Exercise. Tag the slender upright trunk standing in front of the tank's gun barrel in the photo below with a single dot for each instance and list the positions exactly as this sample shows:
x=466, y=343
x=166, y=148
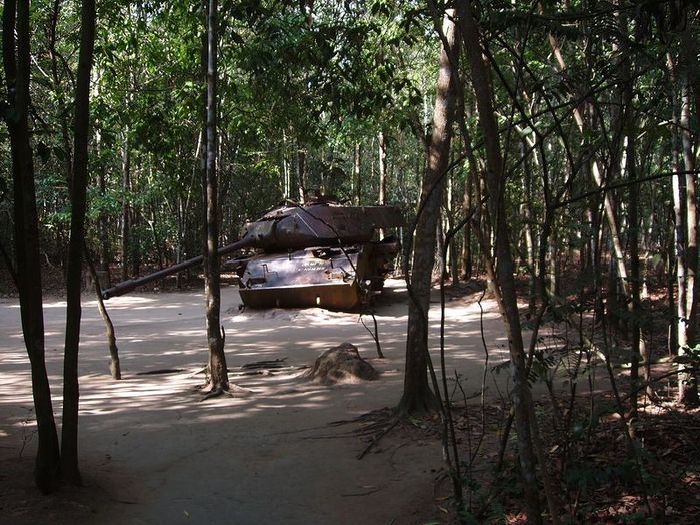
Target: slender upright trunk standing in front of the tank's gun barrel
x=218, y=372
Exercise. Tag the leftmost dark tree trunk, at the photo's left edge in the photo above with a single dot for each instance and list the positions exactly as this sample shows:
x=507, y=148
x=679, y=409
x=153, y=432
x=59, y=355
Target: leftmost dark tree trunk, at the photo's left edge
x=16, y=64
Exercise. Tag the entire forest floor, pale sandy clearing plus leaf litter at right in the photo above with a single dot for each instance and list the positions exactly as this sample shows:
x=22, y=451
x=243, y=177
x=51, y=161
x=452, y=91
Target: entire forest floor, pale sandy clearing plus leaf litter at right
x=286, y=450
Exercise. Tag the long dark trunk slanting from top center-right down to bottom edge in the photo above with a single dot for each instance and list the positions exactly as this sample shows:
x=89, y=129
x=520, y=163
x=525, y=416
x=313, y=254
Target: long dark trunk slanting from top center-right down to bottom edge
x=495, y=178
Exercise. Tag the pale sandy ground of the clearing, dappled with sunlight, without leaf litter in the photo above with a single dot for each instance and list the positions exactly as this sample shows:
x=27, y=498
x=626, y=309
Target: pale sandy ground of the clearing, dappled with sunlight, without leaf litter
x=151, y=452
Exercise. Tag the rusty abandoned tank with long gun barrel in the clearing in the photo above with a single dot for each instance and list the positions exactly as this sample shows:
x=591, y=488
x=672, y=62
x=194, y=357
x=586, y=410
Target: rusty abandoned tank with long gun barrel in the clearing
x=322, y=253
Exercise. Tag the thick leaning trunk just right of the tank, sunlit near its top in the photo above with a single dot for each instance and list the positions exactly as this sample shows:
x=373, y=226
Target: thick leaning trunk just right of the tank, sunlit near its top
x=417, y=395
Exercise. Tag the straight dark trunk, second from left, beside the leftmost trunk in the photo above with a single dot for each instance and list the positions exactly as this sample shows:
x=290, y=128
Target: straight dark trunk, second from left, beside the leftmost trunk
x=78, y=191
